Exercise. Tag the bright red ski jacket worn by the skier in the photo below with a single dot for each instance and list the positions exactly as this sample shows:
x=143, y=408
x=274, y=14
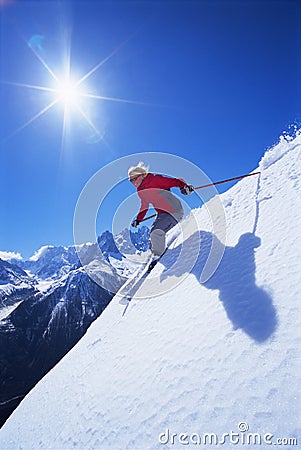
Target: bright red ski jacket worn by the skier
x=155, y=190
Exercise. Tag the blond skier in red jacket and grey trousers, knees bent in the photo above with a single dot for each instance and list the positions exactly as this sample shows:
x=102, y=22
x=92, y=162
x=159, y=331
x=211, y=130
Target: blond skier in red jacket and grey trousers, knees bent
x=155, y=189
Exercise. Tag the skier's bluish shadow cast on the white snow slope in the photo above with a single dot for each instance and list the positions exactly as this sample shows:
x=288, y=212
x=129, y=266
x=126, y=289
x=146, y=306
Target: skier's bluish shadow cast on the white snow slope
x=248, y=306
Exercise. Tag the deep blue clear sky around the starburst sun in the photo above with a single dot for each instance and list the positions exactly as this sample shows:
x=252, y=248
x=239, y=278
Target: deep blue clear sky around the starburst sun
x=214, y=82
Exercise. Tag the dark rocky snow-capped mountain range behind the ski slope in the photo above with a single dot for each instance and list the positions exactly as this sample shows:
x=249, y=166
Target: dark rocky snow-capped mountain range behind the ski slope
x=46, y=309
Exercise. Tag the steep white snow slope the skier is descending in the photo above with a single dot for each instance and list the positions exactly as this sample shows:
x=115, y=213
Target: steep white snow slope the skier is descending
x=220, y=357
